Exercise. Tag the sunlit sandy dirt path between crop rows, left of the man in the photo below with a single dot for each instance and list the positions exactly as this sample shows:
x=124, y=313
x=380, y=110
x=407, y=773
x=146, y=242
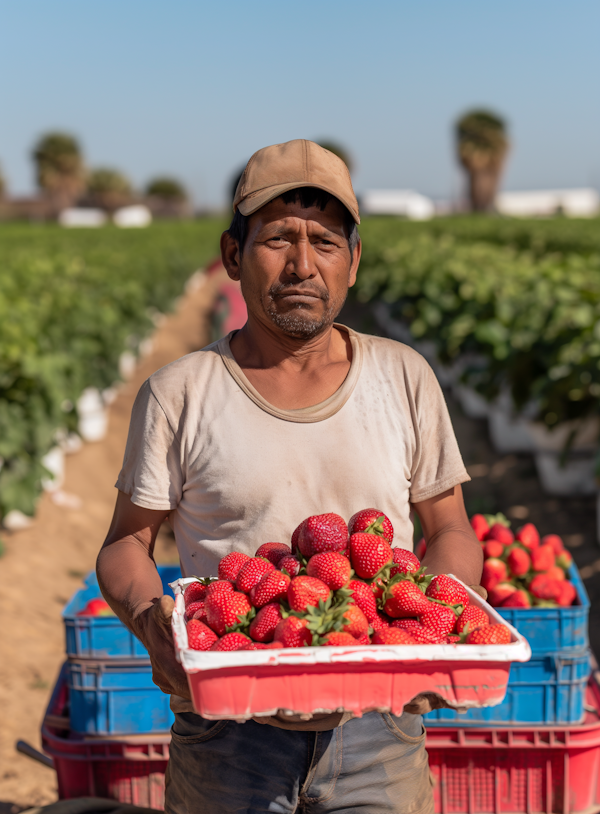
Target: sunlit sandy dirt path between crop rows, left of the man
x=43, y=565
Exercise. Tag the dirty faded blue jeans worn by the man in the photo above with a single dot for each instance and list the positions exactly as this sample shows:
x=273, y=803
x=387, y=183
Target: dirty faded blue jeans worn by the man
x=376, y=764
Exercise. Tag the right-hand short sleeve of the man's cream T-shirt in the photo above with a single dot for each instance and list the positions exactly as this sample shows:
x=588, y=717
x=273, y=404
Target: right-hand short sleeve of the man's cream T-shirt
x=437, y=464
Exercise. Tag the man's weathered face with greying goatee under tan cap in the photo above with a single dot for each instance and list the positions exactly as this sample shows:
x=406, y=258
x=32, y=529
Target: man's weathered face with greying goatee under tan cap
x=296, y=267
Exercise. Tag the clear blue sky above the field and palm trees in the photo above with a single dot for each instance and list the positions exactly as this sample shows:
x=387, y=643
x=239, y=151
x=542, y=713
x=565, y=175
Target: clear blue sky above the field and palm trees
x=192, y=89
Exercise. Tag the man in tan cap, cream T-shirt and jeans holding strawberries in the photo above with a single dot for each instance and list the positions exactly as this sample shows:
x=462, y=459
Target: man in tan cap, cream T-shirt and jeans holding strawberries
x=292, y=415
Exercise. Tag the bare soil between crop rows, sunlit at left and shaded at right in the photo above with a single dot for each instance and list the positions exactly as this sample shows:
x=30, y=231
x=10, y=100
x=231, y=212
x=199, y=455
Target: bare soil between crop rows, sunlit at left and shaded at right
x=48, y=560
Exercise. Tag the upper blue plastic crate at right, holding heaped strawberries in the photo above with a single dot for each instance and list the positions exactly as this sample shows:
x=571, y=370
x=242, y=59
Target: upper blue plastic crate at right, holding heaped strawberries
x=554, y=629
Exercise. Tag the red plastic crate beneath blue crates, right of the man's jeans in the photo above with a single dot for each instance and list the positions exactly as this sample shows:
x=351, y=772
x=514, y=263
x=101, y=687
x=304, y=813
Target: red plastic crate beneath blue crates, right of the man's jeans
x=555, y=770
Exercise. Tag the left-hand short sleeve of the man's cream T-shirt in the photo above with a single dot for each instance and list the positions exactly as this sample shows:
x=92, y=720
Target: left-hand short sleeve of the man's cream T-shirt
x=152, y=472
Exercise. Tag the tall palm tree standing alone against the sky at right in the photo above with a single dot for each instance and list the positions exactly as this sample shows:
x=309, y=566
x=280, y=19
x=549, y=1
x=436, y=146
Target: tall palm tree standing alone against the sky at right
x=482, y=146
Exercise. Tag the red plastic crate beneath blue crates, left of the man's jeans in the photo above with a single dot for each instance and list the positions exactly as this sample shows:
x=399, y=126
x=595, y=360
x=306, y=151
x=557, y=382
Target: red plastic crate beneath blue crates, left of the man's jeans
x=130, y=769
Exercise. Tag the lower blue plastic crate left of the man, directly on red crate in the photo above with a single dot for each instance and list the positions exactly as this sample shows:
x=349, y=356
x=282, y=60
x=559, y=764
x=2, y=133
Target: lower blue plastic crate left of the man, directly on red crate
x=116, y=698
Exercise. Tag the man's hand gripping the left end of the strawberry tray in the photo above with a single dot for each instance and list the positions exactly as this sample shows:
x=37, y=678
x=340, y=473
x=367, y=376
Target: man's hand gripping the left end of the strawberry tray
x=155, y=633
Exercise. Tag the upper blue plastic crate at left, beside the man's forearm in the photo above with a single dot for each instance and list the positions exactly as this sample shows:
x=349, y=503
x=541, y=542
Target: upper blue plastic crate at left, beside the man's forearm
x=101, y=637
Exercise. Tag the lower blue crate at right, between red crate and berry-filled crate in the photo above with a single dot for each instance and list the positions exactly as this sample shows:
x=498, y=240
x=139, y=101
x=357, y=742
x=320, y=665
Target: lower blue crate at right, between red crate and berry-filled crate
x=549, y=689
